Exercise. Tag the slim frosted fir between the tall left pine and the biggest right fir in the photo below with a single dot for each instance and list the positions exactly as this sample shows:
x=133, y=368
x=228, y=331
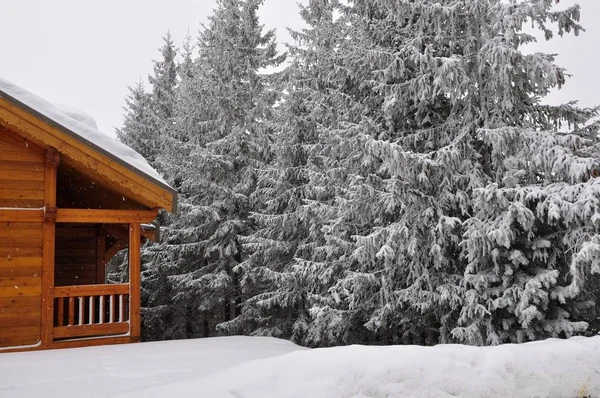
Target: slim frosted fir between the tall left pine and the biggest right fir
x=283, y=273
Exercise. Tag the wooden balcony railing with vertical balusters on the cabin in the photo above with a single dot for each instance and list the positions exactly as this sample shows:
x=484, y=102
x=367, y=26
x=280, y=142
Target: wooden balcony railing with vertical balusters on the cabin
x=91, y=311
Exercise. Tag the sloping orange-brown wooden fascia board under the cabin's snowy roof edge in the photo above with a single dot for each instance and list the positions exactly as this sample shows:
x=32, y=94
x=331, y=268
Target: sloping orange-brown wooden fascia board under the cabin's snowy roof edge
x=126, y=181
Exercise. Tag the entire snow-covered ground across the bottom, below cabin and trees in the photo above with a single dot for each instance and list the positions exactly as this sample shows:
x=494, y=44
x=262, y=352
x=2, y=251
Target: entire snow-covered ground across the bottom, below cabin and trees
x=242, y=367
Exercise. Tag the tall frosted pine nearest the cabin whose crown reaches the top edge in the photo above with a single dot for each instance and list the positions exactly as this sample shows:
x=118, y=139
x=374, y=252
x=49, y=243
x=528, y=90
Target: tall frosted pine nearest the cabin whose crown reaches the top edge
x=224, y=106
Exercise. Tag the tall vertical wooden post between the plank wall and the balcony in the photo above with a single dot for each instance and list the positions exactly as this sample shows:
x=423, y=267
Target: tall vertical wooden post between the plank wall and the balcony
x=48, y=246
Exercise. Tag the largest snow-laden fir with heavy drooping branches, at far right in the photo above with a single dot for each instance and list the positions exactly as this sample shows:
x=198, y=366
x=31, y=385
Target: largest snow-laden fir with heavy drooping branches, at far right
x=461, y=228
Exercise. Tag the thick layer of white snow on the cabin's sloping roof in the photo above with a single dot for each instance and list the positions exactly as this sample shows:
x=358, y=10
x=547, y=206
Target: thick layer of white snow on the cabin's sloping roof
x=82, y=127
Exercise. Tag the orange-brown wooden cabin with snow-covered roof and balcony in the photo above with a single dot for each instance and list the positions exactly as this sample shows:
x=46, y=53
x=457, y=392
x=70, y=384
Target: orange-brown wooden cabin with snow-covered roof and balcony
x=70, y=199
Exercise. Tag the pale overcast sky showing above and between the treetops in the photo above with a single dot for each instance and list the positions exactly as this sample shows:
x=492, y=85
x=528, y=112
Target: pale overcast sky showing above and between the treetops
x=85, y=53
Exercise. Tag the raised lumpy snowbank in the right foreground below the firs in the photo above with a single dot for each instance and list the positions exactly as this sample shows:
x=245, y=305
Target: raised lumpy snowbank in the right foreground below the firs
x=552, y=368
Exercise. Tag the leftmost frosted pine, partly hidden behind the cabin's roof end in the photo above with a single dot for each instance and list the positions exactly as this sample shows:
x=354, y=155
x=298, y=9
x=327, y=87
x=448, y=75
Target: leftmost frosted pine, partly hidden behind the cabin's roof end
x=149, y=119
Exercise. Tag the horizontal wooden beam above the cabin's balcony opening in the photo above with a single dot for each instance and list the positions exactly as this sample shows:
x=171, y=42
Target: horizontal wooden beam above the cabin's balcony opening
x=105, y=216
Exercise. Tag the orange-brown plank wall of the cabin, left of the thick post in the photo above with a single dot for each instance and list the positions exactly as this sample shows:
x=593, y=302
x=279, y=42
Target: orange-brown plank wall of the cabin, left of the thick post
x=22, y=168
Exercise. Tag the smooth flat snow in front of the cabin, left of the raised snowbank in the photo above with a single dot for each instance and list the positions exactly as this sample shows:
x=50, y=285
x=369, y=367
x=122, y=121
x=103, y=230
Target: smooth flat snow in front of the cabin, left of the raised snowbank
x=112, y=370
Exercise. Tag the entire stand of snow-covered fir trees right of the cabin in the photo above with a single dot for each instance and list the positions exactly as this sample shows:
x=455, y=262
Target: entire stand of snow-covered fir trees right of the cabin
x=411, y=186
